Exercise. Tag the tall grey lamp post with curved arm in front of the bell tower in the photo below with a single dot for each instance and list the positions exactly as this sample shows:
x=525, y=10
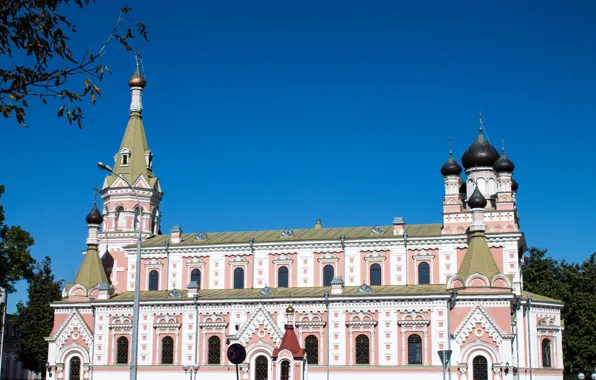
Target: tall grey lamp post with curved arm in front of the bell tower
x=137, y=296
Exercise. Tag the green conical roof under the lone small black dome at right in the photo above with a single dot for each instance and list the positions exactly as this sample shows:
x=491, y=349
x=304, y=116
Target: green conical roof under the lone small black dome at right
x=478, y=258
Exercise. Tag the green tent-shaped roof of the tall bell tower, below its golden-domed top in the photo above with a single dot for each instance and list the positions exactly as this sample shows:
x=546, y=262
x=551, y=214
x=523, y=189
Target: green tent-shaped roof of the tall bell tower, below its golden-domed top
x=135, y=142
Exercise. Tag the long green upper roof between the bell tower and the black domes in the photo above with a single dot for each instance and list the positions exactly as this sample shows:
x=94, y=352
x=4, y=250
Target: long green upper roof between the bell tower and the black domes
x=302, y=234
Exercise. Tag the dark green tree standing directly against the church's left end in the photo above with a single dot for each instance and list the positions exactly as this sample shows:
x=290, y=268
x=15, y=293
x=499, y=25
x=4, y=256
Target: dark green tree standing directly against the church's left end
x=34, y=321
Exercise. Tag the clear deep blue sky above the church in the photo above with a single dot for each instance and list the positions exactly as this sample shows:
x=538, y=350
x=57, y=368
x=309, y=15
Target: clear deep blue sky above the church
x=271, y=114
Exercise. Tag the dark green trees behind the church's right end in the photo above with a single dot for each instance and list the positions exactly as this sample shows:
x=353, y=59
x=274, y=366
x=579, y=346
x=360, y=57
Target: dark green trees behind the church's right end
x=574, y=284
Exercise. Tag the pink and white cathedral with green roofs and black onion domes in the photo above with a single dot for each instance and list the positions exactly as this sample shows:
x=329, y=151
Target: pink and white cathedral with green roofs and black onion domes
x=313, y=303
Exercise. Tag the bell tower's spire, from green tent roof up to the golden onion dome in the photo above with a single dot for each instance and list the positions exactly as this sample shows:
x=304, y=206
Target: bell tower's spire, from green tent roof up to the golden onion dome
x=134, y=158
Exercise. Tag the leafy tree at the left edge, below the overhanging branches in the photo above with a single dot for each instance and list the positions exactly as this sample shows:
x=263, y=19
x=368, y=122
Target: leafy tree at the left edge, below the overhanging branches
x=16, y=262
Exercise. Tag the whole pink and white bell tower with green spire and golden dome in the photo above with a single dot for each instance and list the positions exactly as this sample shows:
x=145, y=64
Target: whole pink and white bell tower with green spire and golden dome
x=134, y=162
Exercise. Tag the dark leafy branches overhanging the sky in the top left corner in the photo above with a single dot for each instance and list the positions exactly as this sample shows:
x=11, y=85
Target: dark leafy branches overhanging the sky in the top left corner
x=35, y=33
